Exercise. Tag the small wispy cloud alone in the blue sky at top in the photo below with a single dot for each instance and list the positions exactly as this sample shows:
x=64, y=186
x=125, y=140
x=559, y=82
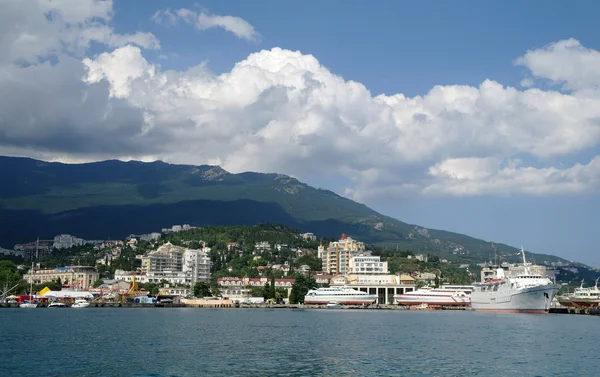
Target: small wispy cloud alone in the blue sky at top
x=202, y=21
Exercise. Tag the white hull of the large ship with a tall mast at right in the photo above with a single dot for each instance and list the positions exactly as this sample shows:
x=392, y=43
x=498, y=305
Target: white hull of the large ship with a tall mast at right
x=526, y=300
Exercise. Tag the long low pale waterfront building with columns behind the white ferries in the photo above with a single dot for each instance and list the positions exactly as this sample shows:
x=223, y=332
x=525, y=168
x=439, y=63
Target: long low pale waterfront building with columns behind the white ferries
x=384, y=286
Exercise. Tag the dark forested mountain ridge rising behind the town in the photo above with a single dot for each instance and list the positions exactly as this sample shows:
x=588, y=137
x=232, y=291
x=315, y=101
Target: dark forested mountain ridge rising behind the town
x=112, y=199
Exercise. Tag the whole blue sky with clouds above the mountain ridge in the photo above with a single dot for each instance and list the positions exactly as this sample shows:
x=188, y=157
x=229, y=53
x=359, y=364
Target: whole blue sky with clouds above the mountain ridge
x=476, y=117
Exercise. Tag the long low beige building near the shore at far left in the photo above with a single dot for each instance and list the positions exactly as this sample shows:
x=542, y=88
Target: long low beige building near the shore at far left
x=80, y=277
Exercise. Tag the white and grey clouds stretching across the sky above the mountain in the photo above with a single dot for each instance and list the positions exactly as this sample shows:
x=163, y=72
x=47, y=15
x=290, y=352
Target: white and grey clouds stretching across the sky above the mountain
x=282, y=111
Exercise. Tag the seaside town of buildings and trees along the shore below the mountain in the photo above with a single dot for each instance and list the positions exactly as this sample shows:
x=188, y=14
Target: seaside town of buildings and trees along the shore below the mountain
x=176, y=267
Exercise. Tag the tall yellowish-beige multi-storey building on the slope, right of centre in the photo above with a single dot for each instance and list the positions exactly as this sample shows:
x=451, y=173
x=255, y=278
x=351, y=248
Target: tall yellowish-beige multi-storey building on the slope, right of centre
x=336, y=258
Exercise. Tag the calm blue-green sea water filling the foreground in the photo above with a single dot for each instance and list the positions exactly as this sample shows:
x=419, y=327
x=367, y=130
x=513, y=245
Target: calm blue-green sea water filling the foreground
x=293, y=342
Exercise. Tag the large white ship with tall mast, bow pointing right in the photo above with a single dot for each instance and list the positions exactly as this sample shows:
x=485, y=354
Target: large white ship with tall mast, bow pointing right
x=527, y=292
